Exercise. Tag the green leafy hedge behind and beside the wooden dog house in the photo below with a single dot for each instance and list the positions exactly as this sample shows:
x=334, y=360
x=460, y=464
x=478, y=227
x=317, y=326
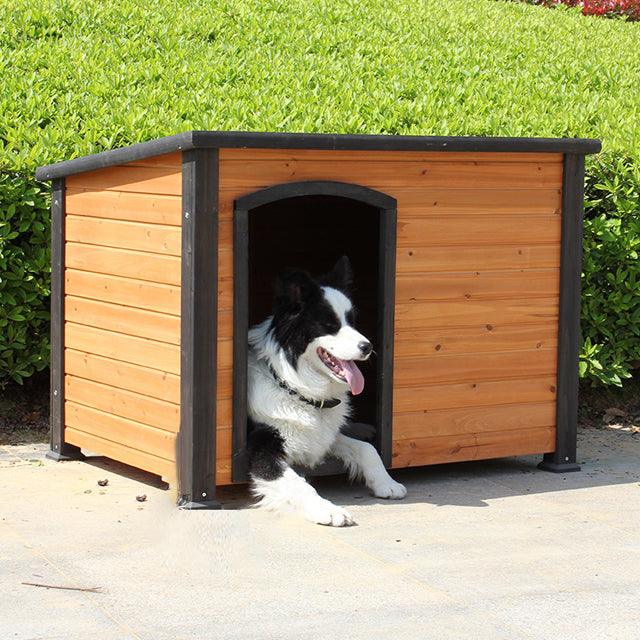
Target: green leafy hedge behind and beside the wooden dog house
x=81, y=76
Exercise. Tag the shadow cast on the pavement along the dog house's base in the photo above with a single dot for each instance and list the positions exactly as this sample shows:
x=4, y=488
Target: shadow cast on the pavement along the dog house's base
x=607, y=457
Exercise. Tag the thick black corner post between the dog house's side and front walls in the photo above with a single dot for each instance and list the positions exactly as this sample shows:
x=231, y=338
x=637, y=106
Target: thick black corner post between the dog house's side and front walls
x=196, y=444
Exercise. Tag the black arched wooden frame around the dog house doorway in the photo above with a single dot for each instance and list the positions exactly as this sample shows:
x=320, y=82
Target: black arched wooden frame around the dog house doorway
x=386, y=283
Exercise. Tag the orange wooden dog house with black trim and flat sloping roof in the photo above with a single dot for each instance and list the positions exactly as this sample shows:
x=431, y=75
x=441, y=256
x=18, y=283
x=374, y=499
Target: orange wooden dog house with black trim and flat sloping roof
x=466, y=253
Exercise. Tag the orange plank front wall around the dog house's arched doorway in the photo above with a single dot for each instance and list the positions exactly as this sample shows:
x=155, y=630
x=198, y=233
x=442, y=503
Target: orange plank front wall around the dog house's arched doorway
x=477, y=291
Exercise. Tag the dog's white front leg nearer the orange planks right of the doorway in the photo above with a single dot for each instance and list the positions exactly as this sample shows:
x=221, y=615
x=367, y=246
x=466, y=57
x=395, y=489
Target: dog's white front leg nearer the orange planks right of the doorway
x=362, y=459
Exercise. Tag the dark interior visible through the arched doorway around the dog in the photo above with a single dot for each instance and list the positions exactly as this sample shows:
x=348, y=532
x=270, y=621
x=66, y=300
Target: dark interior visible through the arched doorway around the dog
x=312, y=232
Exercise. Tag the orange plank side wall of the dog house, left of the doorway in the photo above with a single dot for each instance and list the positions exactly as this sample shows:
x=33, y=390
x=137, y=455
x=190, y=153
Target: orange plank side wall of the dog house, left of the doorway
x=122, y=276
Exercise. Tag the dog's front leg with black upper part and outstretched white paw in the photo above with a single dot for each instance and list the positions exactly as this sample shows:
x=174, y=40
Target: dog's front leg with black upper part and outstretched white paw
x=279, y=487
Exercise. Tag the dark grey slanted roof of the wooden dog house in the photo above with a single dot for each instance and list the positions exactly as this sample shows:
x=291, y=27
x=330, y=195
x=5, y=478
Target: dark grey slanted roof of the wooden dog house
x=333, y=142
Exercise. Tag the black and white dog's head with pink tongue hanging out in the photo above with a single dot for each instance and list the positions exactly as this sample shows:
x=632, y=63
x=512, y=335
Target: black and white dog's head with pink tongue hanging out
x=313, y=324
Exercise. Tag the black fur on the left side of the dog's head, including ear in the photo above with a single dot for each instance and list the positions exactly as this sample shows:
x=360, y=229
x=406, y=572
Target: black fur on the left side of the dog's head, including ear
x=301, y=314
